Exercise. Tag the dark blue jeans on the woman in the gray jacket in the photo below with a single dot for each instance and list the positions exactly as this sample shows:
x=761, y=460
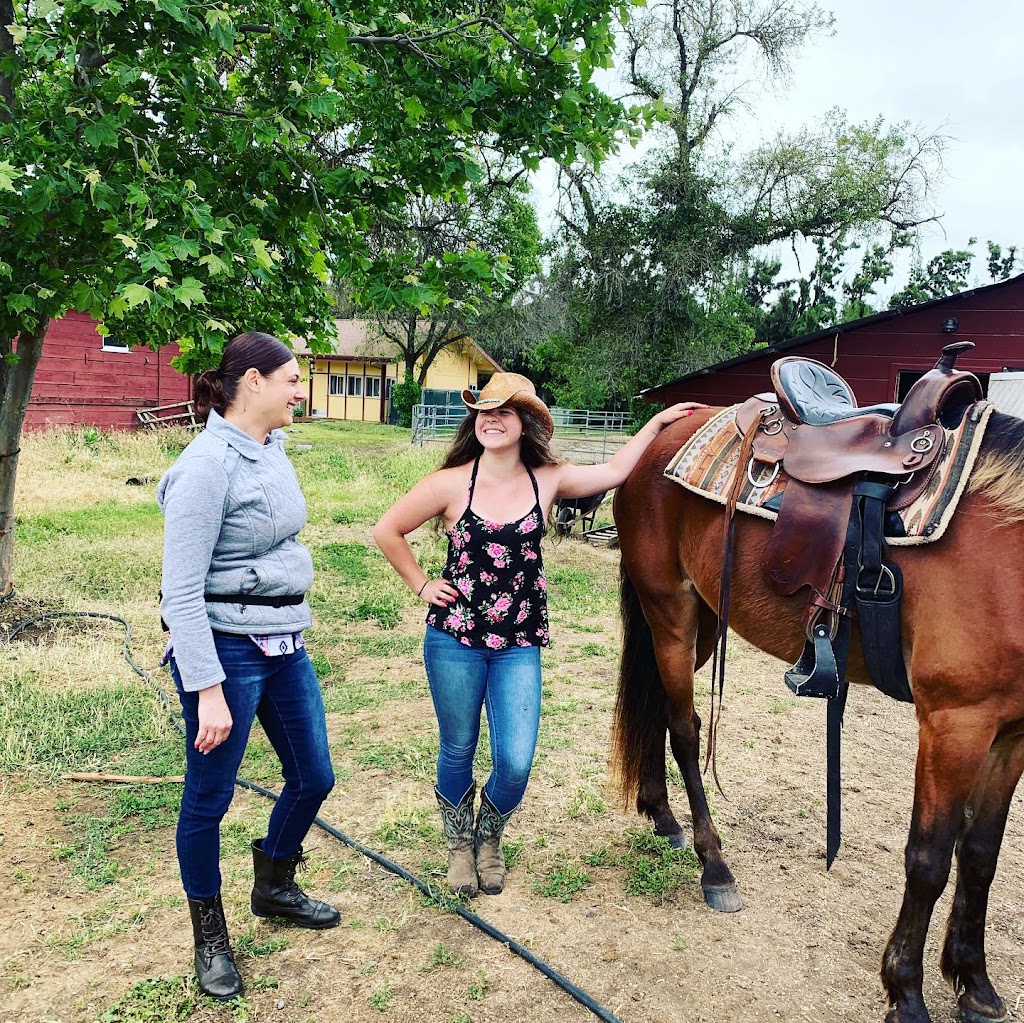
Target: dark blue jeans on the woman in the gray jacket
x=284, y=694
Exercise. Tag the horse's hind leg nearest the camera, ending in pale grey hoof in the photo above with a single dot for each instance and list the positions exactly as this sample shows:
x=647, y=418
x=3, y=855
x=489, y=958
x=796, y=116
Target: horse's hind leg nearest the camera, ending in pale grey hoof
x=684, y=640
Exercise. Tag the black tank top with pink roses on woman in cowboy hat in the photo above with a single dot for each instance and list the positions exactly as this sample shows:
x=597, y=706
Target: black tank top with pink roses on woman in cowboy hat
x=498, y=570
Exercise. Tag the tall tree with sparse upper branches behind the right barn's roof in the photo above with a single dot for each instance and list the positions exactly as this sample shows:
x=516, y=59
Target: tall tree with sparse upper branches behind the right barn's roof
x=668, y=271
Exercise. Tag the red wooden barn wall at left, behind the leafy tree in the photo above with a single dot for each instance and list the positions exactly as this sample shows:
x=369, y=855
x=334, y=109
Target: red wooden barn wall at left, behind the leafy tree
x=83, y=378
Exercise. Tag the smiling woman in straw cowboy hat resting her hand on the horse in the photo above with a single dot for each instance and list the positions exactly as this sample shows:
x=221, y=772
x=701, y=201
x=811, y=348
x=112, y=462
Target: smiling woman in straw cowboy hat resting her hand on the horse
x=489, y=614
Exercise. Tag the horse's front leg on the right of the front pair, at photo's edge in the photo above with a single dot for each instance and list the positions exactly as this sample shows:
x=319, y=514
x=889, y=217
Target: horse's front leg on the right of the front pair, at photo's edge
x=977, y=851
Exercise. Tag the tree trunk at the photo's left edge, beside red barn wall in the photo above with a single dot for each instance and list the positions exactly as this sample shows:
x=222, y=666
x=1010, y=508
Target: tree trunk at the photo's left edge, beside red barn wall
x=16, y=387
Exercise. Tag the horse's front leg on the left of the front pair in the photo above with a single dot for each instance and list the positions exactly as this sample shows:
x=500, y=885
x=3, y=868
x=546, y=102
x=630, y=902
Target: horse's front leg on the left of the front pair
x=951, y=752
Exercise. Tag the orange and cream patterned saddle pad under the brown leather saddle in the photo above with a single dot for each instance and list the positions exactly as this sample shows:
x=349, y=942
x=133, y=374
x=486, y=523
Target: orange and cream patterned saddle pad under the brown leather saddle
x=707, y=463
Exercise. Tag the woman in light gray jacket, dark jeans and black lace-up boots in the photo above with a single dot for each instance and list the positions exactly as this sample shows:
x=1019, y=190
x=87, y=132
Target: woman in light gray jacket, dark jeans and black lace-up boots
x=235, y=580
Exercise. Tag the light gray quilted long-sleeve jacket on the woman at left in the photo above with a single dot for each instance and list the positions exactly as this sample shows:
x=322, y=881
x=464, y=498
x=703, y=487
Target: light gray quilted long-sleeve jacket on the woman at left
x=232, y=510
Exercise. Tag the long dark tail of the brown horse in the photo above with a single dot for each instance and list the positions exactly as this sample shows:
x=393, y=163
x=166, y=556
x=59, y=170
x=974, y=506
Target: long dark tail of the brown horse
x=642, y=708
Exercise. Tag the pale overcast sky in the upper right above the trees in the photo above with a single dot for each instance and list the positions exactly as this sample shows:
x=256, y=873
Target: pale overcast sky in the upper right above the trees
x=945, y=66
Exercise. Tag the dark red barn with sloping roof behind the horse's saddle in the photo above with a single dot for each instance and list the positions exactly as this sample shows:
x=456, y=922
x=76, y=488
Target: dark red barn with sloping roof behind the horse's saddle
x=880, y=356
